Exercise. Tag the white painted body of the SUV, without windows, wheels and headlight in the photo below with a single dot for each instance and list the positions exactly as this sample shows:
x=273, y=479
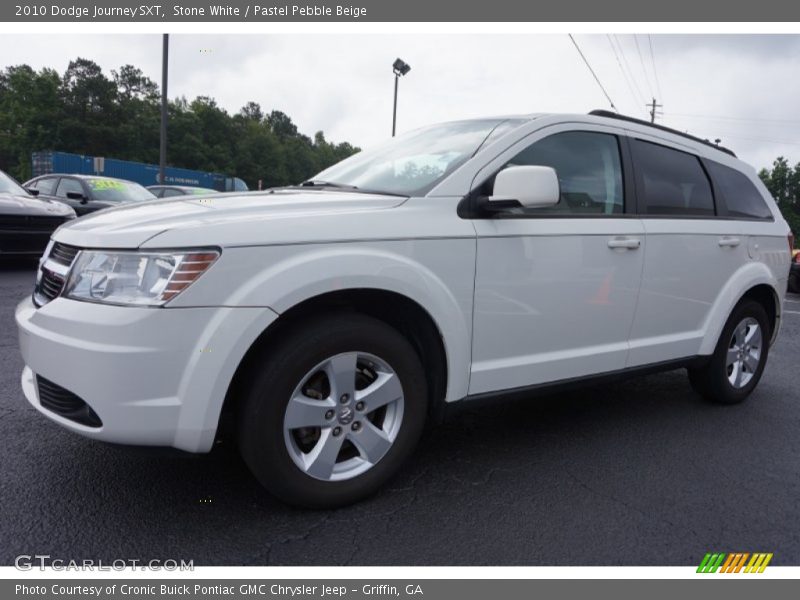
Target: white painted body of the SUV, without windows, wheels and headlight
x=517, y=302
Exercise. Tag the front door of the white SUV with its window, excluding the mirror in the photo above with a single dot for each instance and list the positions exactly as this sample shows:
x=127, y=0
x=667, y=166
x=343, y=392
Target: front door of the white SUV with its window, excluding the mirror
x=556, y=288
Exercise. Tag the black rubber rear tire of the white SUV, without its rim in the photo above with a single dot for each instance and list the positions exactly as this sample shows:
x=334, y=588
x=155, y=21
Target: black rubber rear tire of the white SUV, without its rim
x=711, y=380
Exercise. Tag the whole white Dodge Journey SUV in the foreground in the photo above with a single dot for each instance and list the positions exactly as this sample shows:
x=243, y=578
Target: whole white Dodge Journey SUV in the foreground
x=474, y=258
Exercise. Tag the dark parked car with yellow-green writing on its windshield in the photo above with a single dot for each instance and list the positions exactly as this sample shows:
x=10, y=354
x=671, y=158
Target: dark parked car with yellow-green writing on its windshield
x=88, y=193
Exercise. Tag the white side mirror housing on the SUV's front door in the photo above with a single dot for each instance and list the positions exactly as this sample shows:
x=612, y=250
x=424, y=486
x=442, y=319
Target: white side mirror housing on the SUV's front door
x=530, y=186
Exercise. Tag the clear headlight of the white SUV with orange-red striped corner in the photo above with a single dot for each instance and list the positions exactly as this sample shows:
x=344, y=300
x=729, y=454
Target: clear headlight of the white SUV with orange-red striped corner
x=136, y=278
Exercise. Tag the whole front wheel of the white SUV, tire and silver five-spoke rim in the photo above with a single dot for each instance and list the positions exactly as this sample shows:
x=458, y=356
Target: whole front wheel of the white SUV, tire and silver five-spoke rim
x=334, y=409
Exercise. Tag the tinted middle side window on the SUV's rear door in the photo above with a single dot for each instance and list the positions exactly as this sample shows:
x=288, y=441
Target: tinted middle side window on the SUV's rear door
x=673, y=183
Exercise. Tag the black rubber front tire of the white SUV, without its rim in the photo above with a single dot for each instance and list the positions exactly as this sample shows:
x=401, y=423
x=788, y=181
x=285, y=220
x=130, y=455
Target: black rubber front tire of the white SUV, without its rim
x=280, y=369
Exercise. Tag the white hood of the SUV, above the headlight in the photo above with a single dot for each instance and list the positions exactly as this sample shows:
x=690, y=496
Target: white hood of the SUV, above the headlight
x=254, y=218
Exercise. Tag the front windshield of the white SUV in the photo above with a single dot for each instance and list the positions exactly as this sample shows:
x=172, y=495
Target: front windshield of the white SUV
x=413, y=163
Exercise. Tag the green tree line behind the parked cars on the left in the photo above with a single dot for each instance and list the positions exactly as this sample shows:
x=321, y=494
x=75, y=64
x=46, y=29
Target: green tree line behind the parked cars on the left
x=85, y=112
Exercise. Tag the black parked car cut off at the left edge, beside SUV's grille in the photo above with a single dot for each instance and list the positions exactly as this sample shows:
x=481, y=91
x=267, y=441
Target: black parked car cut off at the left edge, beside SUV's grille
x=26, y=222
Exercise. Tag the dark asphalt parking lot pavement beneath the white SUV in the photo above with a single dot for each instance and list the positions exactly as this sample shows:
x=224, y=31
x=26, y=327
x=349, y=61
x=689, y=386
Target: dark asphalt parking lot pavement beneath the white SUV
x=636, y=473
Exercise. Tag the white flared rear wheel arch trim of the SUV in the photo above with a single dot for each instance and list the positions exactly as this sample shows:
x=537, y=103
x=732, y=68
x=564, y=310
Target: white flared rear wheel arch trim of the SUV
x=746, y=278
